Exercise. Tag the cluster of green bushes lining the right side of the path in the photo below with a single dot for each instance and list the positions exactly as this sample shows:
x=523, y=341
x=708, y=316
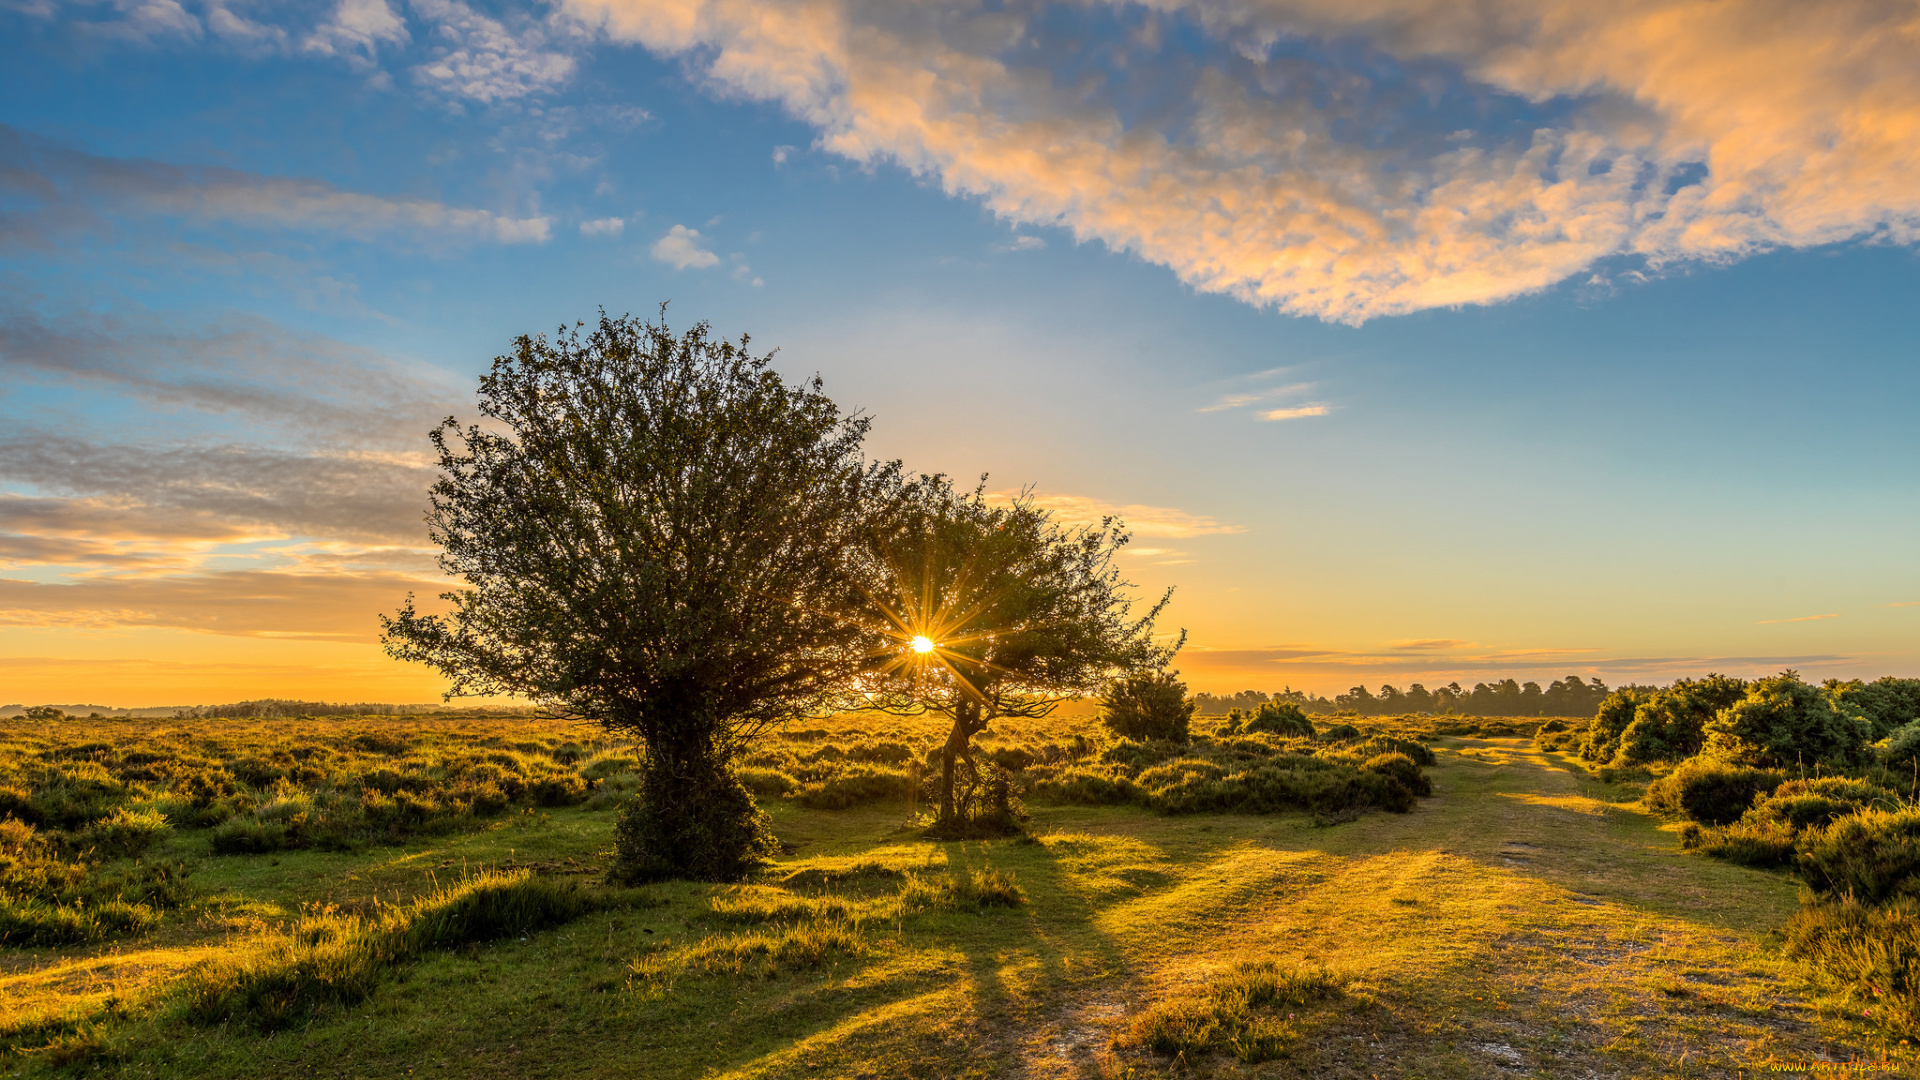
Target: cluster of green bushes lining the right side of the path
x=1785, y=775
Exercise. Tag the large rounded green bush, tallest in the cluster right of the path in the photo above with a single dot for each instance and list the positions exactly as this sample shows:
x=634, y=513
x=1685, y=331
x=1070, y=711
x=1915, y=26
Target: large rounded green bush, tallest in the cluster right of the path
x=1785, y=724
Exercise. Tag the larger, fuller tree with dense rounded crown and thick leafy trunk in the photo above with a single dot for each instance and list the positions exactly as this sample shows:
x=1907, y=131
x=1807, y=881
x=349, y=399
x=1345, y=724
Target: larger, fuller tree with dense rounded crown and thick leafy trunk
x=656, y=533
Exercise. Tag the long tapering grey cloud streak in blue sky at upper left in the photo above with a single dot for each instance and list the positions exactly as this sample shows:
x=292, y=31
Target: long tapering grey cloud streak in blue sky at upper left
x=49, y=189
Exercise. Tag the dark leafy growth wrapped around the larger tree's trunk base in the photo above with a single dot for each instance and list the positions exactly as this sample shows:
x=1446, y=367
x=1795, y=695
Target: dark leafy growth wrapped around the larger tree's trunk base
x=696, y=825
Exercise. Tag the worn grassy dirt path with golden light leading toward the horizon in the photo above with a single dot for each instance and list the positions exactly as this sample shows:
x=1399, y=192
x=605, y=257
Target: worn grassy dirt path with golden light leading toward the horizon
x=1516, y=925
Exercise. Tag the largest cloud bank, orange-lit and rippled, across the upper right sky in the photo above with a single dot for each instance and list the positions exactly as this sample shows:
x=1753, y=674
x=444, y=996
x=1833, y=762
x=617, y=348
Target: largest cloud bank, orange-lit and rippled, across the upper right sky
x=1673, y=132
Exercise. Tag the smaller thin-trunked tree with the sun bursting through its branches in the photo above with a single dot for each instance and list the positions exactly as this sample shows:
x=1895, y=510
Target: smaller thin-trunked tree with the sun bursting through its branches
x=1001, y=612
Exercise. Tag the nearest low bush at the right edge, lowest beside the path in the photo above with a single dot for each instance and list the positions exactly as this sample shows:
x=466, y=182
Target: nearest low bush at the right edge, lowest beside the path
x=1869, y=954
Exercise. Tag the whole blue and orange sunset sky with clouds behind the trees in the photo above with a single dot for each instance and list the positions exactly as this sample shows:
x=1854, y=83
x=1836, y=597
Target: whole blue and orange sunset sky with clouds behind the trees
x=1414, y=339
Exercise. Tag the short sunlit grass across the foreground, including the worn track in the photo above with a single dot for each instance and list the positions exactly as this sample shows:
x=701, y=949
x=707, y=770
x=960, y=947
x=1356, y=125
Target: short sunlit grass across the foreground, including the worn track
x=1524, y=921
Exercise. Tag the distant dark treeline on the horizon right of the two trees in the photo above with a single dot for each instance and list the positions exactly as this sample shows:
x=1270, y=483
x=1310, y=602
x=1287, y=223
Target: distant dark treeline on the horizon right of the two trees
x=1572, y=697
